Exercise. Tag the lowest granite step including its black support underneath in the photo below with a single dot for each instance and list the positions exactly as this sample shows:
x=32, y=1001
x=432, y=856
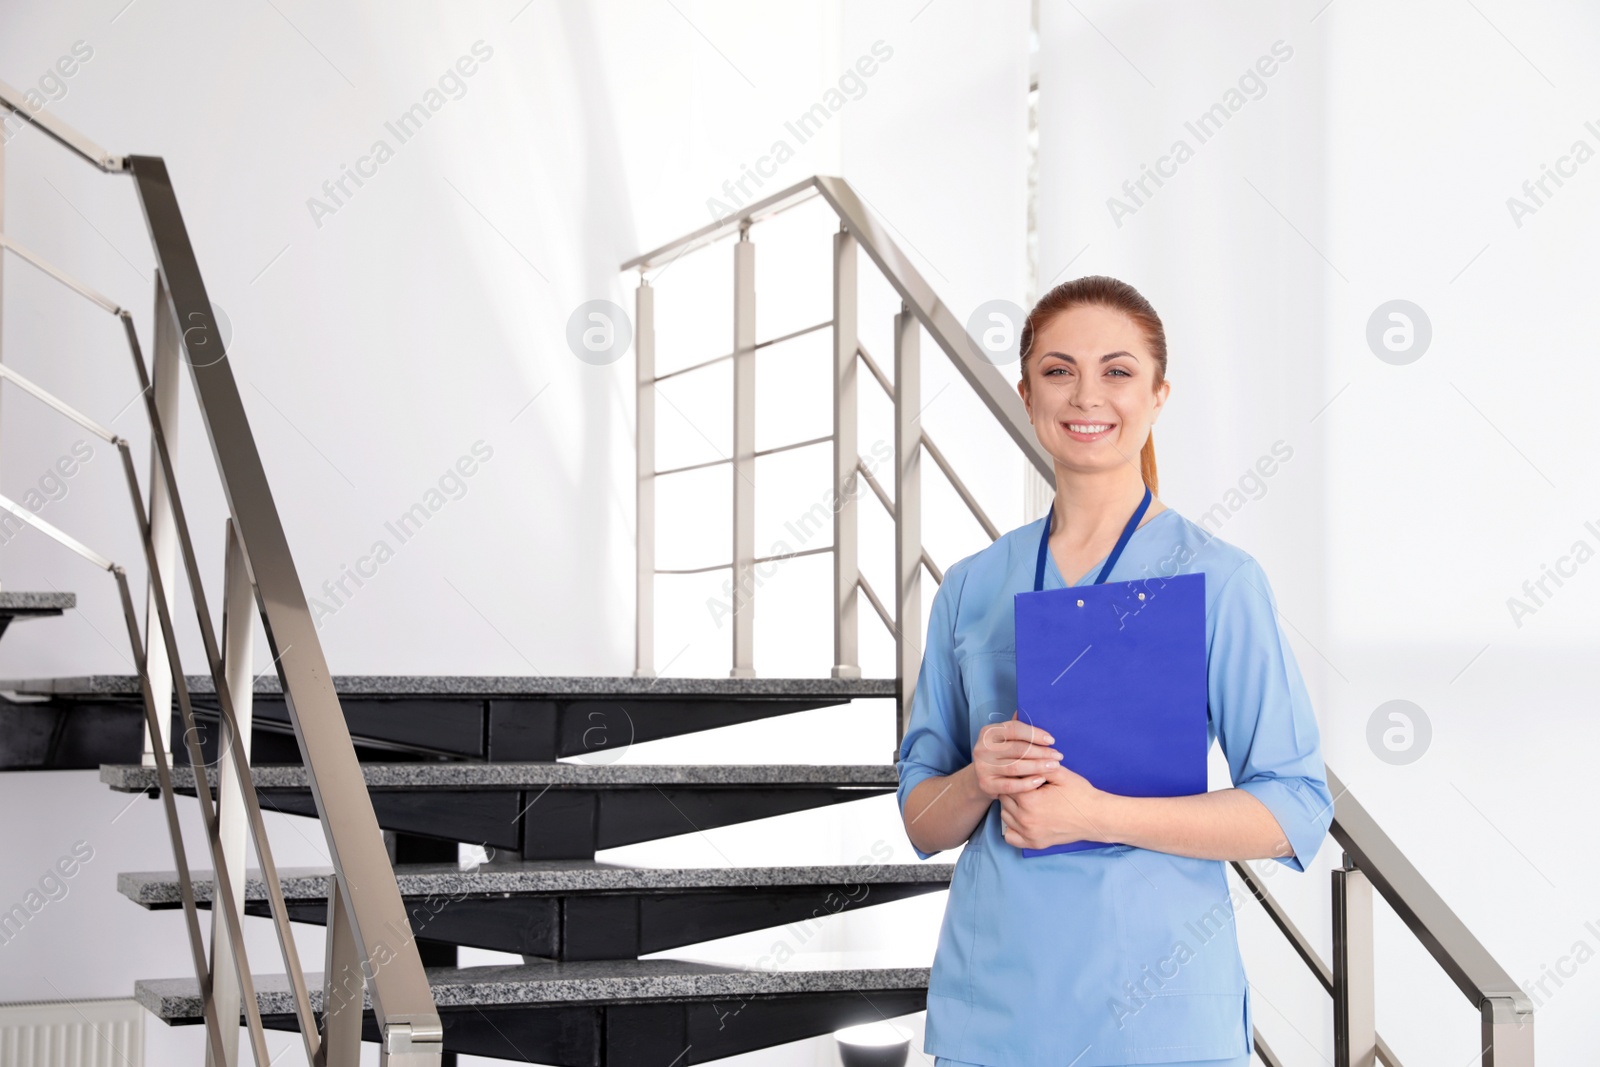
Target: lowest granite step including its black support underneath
x=618, y=1013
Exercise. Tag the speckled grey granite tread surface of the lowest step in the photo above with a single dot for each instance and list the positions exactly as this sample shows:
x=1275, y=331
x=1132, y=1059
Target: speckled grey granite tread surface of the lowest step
x=543, y=983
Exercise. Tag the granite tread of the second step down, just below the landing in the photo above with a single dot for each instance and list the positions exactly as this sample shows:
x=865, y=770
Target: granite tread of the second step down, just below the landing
x=463, y=775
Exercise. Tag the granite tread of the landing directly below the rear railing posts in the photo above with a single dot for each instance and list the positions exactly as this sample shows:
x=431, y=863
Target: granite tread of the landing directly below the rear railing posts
x=487, y=685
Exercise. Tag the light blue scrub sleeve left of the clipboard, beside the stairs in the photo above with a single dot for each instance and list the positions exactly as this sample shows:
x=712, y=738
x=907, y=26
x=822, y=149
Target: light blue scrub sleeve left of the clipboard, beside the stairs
x=937, y=738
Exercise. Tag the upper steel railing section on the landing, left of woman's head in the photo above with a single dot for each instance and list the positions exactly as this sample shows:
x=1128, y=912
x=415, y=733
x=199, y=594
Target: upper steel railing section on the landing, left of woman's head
x=919, y=308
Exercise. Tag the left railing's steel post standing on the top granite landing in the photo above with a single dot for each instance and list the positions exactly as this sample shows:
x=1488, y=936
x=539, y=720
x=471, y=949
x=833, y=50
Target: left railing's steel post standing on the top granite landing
x=164, y=532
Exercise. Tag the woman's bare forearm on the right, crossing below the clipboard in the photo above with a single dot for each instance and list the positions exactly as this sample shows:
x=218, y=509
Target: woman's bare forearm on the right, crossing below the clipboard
x=1220, y=825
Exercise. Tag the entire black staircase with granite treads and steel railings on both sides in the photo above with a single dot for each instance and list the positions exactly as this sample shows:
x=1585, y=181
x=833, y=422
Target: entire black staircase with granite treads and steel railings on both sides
x=402, y=772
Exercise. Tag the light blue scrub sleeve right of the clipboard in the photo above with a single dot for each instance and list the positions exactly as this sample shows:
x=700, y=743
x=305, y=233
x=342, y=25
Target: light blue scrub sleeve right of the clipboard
x=1263, y=714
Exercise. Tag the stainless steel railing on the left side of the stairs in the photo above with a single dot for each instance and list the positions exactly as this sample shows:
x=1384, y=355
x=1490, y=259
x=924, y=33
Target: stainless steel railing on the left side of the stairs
x=370, y=943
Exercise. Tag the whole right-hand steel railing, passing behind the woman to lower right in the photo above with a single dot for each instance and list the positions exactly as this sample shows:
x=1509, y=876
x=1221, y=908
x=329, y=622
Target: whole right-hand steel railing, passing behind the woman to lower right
x=1372, y=861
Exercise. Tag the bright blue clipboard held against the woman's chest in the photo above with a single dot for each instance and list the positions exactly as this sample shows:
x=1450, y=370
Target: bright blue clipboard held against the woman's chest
x=1119, y=682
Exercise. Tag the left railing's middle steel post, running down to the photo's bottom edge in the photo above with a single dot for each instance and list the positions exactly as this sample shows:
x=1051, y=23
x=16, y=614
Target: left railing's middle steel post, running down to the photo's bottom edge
x=239, y=604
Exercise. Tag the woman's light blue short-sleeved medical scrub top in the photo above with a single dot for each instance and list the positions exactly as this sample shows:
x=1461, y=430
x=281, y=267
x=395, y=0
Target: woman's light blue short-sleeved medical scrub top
x=1114, y=956
